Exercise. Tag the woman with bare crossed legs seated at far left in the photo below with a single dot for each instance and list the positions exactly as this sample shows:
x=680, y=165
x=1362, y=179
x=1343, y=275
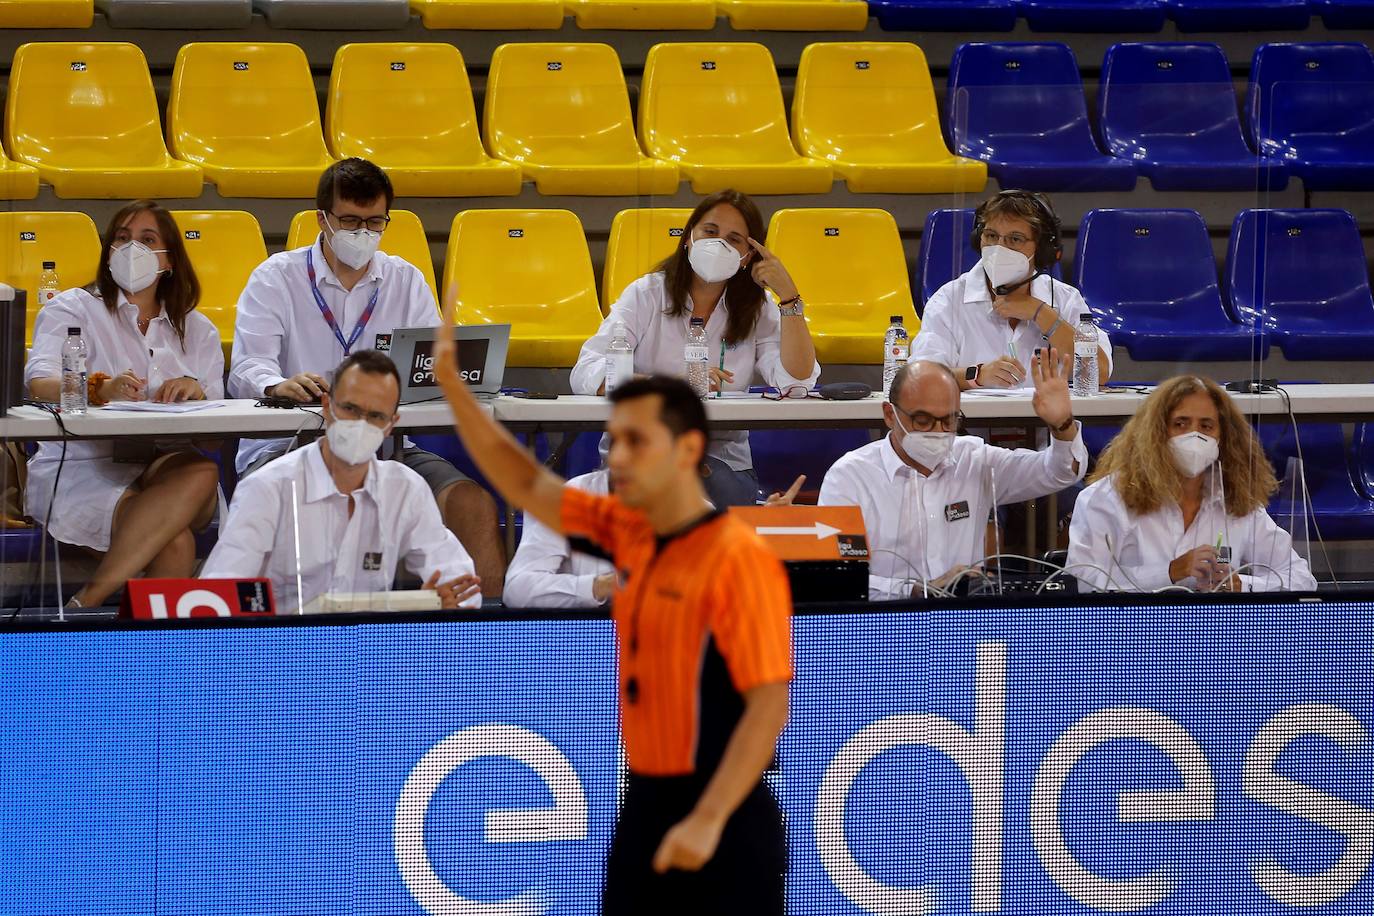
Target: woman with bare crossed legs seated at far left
x=146, y=341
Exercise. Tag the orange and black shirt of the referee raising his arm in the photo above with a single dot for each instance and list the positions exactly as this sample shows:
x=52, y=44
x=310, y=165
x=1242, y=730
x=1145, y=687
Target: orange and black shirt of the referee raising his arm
x=703, y=617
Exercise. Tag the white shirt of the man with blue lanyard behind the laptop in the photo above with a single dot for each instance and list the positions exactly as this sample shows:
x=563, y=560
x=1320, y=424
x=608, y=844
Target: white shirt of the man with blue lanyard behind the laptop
x=280, y=330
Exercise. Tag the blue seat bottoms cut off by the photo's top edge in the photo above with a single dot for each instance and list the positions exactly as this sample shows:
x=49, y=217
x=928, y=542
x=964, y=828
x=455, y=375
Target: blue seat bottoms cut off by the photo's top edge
x=1119, y=16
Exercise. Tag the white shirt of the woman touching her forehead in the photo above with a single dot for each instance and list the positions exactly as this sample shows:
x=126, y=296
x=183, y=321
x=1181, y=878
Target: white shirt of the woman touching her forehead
x=659, y=341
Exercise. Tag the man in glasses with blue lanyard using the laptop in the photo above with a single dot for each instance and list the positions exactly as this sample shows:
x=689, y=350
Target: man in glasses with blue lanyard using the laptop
x=303, y=311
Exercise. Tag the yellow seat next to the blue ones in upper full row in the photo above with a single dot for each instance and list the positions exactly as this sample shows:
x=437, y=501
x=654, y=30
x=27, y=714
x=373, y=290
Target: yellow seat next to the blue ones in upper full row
x=870, y=109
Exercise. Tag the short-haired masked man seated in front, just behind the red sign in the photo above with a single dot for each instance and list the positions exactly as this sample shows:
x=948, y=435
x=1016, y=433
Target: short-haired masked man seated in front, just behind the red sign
x=354, y=517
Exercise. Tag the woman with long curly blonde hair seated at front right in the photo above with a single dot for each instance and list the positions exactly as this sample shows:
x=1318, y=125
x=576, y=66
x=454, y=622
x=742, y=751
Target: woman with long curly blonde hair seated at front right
x=1178, y=501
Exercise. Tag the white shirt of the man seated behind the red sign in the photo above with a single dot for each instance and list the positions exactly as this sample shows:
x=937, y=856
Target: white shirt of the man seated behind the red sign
x=395, y=521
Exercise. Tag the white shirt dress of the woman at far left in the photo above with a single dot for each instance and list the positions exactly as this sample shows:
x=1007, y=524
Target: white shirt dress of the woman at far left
x=91, y=483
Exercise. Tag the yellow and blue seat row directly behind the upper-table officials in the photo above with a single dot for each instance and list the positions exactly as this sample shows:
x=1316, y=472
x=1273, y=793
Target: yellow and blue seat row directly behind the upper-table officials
x=1294, y=278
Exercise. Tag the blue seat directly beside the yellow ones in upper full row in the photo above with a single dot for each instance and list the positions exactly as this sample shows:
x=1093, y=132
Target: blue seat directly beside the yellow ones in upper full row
x=1020, y=108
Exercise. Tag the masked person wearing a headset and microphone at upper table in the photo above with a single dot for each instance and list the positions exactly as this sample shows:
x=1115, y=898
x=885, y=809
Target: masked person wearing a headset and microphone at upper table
x=989, y=323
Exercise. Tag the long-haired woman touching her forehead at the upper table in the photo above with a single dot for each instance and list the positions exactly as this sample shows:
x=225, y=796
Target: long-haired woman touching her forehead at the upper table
x=755, y=326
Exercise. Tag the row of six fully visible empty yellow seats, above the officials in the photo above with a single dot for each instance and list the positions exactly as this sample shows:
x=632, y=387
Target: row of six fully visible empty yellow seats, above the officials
x=245, y=116
